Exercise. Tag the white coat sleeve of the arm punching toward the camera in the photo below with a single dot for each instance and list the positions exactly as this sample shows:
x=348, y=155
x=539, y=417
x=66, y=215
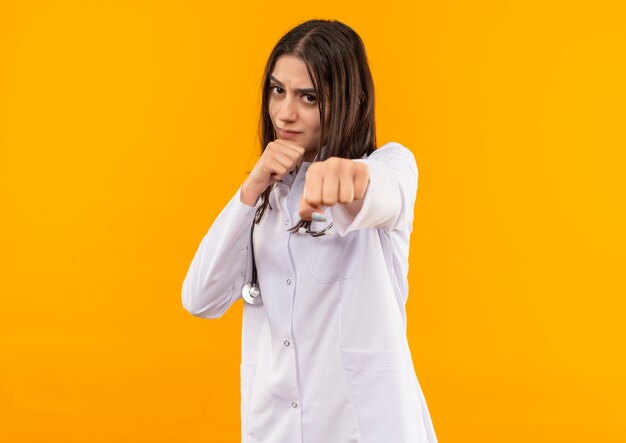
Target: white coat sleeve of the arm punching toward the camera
x=390, y=197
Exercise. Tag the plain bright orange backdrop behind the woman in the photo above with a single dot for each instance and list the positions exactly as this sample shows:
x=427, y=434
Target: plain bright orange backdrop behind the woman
x=126, y=126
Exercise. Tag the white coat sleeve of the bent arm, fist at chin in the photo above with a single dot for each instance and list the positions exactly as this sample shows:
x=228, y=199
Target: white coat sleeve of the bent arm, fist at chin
x=222, y=262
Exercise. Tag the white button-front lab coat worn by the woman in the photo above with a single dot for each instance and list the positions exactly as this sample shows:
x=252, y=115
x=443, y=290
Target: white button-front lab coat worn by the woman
x=325, y=358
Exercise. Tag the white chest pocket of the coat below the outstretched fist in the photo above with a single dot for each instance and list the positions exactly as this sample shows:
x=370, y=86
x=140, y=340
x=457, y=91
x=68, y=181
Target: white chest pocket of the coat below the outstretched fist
x=333, y=257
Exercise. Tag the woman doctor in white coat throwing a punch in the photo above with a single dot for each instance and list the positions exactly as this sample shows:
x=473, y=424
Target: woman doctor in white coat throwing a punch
x=316, y=241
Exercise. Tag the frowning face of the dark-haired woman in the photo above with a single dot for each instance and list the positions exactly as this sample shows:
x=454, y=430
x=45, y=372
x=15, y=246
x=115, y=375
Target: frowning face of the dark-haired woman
x=293, y=105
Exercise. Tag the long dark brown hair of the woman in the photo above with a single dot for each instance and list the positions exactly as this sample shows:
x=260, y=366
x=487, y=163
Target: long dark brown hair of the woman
x=336, y=61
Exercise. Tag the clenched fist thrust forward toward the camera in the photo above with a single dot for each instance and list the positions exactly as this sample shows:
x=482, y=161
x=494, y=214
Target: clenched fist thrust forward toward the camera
x=332, y=181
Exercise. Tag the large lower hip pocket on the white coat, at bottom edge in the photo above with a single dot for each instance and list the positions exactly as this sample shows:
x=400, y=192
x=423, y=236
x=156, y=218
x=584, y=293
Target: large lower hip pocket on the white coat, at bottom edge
x=383, y=395
